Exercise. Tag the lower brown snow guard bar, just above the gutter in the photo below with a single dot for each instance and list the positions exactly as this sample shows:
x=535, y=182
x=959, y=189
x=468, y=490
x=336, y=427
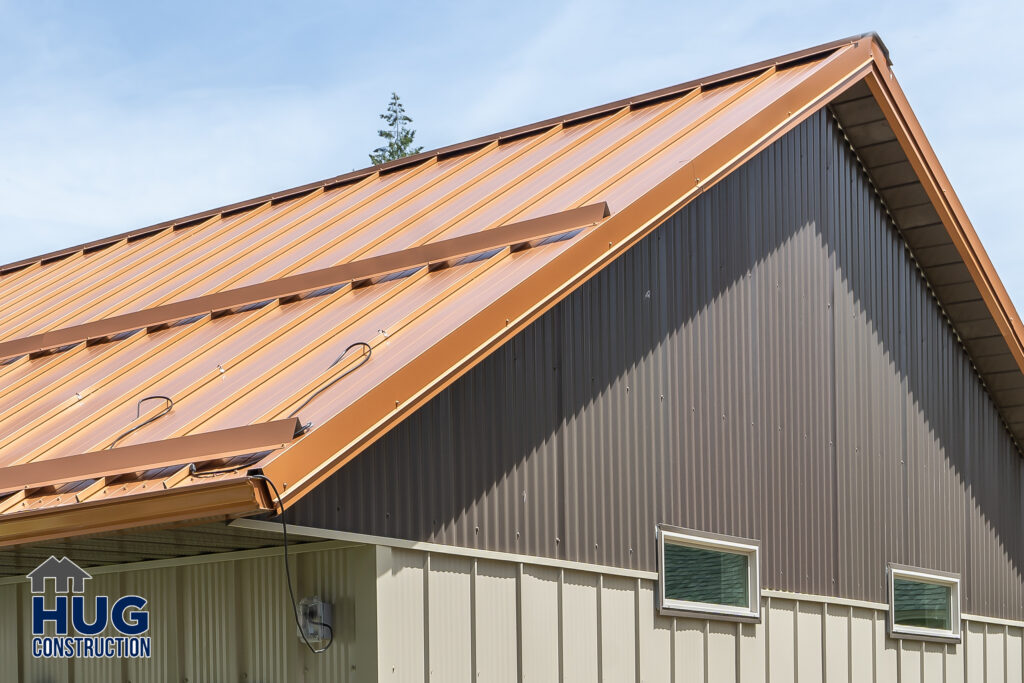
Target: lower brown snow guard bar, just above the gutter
x=141, y=457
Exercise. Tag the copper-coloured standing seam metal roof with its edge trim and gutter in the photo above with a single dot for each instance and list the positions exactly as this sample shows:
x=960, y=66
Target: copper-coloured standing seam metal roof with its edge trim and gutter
x=255, y=364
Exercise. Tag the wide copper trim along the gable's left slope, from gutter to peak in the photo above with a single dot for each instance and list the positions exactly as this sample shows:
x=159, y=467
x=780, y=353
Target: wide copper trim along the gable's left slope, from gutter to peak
x=321, y=453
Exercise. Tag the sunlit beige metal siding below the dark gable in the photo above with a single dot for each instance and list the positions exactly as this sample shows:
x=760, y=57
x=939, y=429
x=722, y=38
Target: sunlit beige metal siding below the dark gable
x=585, y=626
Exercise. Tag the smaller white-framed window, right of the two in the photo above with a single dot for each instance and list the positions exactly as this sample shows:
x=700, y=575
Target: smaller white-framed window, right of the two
x=924, y=605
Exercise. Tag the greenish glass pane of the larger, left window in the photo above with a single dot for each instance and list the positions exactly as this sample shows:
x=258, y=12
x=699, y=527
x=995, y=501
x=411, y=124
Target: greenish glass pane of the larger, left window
x=701, y=575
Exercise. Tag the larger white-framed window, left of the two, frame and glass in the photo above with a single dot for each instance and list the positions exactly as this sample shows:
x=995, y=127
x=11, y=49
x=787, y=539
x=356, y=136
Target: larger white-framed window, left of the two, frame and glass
x=707, y=575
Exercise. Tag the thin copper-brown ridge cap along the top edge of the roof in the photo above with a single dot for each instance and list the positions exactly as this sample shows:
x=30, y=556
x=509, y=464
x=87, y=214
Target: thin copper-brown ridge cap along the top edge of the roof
x=655, y=96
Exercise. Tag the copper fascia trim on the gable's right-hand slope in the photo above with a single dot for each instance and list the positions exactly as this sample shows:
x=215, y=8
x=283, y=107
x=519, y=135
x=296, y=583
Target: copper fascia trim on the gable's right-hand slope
x=882, y=82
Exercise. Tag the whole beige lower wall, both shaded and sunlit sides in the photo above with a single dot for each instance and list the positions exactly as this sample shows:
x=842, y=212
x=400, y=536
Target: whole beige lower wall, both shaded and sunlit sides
x=409, y=615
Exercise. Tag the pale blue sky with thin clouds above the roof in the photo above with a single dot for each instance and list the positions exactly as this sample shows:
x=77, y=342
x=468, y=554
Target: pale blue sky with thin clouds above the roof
x=117, y=115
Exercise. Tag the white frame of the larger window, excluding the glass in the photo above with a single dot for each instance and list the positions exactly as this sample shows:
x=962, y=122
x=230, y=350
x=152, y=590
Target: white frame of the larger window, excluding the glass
x=728, y=544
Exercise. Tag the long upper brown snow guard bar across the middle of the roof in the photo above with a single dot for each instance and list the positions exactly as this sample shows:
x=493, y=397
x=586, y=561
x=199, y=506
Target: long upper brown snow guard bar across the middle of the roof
x=292, y=286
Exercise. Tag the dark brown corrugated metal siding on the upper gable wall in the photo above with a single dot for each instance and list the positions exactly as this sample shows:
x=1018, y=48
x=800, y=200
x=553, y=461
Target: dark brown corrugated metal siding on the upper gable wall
x=769, y=364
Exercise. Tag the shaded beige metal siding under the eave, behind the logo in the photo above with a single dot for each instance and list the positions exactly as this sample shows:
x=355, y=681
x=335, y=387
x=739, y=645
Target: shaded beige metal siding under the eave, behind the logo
x=219, y=621
